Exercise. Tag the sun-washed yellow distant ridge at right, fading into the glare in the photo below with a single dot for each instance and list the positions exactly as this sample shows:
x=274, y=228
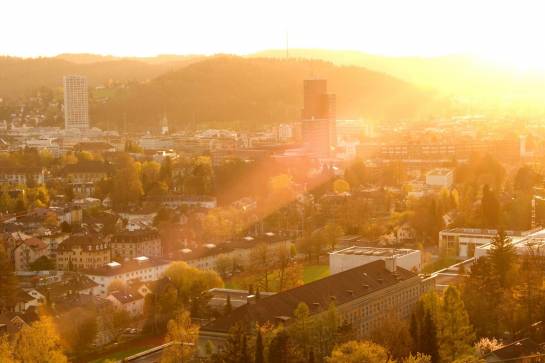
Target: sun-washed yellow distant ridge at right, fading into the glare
x=458, y=74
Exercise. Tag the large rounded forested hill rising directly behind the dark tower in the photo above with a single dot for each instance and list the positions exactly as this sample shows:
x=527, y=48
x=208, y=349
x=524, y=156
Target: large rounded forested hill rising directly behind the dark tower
x=255, y=91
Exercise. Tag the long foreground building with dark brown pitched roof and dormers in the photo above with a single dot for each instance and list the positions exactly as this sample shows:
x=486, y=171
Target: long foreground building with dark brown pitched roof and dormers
x=364, y=297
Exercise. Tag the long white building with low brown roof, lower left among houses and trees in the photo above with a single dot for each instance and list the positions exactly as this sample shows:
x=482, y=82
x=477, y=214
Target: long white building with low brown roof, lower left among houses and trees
x=140, y=268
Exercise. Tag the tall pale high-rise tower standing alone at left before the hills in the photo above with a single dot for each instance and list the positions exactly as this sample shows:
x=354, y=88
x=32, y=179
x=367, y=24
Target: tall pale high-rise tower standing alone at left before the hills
x=76, y=103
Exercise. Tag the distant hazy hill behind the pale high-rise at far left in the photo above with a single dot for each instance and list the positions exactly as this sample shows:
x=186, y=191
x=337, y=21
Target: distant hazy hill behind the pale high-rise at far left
x=21, y=76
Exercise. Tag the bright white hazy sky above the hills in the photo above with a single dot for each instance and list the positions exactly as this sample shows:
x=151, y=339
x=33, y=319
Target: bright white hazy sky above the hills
x=513, y=29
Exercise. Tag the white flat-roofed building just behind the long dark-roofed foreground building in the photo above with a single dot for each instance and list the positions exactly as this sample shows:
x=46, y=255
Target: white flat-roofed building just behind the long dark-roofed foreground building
x=355, y=256
